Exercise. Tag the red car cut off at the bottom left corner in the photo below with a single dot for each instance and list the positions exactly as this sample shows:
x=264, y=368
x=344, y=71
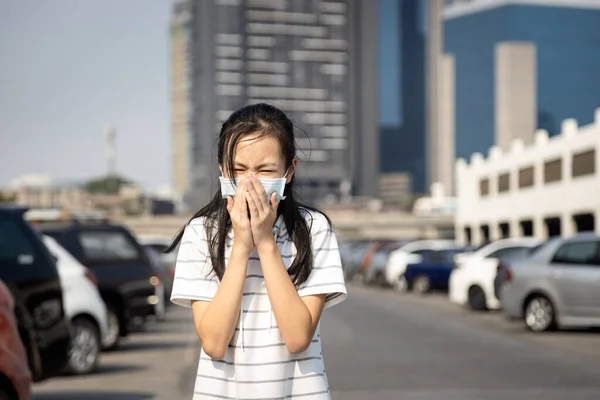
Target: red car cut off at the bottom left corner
x=15, y=377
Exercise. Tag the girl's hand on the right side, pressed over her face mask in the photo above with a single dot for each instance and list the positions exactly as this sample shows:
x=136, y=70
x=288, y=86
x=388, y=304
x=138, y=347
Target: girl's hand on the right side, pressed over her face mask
x=263, y=211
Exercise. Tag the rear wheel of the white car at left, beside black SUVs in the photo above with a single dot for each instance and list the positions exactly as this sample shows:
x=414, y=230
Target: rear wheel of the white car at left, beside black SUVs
x=84, y=354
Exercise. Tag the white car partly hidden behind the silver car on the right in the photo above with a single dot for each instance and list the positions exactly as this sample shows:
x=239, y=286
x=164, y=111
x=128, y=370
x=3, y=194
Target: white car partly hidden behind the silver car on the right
x=472, y=281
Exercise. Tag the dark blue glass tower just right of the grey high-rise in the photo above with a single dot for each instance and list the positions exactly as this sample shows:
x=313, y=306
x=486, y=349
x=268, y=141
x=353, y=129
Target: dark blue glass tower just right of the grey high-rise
x=402, y=41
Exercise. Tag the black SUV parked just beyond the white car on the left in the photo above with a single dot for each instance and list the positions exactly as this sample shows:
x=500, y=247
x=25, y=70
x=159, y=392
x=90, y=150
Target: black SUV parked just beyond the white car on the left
x=124, y=273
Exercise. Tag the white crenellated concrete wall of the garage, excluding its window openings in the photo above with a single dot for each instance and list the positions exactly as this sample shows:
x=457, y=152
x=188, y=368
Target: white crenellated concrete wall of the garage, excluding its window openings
x=560, y=199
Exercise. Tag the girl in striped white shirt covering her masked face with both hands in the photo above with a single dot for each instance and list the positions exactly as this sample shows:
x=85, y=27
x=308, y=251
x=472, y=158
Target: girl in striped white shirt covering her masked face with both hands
x=257, y=269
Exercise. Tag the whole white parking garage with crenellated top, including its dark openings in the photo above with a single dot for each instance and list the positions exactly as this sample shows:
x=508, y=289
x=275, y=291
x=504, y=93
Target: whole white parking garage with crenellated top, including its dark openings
x=547, y=188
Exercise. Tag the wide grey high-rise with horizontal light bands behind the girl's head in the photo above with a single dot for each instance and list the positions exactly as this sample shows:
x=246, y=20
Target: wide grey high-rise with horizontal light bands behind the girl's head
x=295, y=55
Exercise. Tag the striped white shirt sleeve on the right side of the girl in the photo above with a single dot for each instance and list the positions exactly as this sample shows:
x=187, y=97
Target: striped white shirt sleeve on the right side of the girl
x=327, y=275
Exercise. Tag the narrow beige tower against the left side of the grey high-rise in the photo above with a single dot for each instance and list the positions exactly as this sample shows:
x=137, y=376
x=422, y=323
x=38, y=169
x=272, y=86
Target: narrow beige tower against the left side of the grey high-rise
x=180, y=96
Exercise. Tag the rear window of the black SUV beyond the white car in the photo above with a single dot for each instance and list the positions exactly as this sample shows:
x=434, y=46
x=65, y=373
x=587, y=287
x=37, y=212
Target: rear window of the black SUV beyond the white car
x=108, y=246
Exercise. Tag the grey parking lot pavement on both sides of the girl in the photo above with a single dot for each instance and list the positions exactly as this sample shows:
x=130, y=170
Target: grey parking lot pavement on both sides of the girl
x=377, y=345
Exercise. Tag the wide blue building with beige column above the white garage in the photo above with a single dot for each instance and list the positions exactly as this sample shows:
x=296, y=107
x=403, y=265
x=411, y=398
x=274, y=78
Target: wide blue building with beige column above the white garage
x=521, y=65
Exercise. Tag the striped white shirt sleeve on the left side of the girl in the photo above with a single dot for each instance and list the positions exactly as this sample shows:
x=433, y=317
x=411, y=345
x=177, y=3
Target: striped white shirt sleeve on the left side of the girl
x=194, y=278
